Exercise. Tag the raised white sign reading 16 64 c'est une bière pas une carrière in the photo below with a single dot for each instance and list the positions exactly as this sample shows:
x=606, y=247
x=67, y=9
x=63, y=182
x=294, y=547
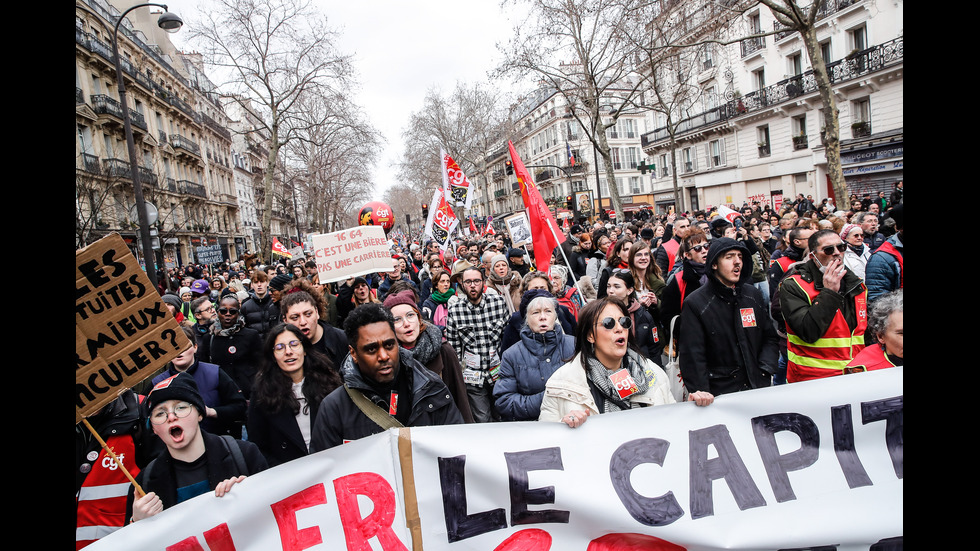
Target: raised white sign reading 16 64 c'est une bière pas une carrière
x=350, y=253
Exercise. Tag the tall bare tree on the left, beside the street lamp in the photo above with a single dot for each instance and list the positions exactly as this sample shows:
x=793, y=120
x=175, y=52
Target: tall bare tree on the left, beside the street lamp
x=274, y=52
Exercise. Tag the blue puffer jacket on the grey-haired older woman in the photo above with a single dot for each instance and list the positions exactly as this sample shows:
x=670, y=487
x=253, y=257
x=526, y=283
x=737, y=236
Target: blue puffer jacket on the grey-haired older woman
x=525, y=368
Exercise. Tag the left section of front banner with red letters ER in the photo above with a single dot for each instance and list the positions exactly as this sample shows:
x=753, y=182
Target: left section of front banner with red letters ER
x=341, y=498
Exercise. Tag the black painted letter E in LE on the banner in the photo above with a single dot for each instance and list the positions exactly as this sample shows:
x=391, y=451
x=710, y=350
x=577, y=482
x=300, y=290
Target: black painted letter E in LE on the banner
x=518, y=465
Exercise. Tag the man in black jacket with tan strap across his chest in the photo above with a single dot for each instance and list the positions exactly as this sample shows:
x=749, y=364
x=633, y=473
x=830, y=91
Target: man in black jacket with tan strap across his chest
x=394, y=385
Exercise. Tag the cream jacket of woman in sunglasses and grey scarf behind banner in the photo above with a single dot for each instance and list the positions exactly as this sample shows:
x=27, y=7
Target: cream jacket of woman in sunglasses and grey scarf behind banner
x=567, y=390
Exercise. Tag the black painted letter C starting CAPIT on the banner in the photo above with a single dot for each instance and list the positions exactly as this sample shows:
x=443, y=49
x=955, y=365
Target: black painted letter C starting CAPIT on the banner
x=651, y=511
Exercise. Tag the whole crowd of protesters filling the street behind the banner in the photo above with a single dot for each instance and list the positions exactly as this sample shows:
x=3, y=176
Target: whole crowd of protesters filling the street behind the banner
x=682, y=307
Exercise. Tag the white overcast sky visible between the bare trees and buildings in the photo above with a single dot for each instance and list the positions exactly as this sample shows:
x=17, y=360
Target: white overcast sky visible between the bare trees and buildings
x=401, y=50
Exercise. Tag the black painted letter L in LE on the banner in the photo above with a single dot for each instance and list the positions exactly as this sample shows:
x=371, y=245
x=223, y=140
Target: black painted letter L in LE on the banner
x=459, y=525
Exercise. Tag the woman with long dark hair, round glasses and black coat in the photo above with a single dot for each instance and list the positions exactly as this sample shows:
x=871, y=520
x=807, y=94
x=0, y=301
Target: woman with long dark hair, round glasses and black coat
x=293, y=378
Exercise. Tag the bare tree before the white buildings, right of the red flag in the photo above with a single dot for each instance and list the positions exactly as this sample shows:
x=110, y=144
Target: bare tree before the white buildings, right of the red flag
x=580, y=49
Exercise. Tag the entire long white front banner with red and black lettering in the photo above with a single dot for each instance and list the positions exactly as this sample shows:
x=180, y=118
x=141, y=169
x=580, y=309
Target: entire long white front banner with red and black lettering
x=800, y=466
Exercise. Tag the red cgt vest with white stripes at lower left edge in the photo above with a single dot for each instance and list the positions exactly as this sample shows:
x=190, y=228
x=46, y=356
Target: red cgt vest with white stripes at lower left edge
x=101, y=501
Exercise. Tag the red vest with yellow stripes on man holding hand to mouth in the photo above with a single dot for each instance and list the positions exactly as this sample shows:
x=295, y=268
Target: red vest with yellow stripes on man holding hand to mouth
x=831, y=353
